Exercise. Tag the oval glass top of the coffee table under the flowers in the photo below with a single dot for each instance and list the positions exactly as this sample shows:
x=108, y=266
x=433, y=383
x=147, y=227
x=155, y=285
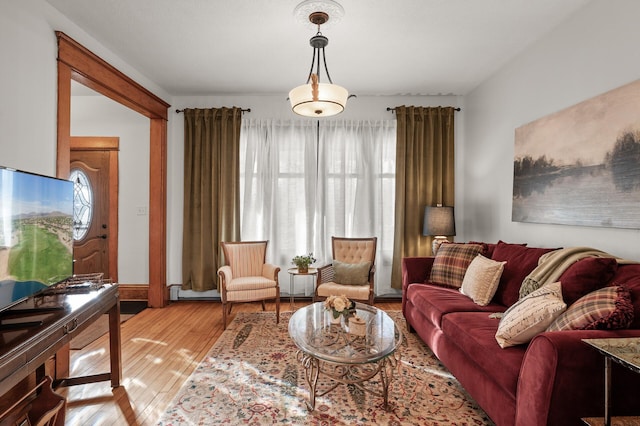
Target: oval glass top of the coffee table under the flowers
x=312, y=331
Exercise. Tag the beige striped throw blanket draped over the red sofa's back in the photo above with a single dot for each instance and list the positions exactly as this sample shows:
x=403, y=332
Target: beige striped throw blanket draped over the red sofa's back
x=551, y=265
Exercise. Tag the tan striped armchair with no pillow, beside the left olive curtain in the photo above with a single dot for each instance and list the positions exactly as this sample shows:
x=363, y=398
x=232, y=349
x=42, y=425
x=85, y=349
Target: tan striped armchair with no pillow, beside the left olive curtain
x=246, y=277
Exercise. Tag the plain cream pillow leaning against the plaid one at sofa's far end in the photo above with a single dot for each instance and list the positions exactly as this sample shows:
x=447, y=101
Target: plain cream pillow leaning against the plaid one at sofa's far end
x=481, y=279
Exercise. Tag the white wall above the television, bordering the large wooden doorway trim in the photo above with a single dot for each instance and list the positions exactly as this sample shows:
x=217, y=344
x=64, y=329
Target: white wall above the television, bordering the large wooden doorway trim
x=28, y=81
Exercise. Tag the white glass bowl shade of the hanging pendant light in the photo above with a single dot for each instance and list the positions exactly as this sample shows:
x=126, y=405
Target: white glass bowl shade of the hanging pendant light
x=331, y=100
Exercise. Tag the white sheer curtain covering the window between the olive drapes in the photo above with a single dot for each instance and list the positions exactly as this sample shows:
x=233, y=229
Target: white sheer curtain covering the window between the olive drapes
x=305, y=181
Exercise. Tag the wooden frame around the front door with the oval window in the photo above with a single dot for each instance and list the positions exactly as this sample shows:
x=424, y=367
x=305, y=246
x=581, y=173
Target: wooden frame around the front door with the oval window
x=111, y=144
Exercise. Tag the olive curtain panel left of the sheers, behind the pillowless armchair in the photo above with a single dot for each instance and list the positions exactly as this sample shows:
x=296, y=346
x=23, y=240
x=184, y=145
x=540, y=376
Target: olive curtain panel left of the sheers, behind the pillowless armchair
x=211, y=192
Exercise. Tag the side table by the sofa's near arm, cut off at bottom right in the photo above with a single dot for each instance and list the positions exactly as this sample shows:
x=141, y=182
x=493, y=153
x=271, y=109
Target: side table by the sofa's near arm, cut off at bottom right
x=623, y=351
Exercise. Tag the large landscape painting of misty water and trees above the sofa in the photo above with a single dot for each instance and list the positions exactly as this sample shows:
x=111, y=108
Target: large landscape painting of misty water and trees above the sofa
x=581, y=165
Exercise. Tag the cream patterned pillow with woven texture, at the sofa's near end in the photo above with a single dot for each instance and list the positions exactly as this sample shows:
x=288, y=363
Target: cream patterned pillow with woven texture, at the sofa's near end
x=530, y=315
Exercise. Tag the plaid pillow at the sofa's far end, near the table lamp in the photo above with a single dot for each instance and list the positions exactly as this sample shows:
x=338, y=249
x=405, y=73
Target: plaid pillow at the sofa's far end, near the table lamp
x=451, y=263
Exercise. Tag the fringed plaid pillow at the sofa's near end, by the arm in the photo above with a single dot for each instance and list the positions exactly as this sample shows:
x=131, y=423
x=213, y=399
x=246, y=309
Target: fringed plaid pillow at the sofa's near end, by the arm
x=606, y=309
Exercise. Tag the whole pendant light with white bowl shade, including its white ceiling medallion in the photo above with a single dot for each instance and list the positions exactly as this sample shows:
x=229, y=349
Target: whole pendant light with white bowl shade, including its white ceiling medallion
x=315, y=98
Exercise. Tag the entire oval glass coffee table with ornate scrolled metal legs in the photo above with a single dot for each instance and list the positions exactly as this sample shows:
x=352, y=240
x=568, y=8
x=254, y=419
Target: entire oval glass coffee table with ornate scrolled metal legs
x=330, y=352
